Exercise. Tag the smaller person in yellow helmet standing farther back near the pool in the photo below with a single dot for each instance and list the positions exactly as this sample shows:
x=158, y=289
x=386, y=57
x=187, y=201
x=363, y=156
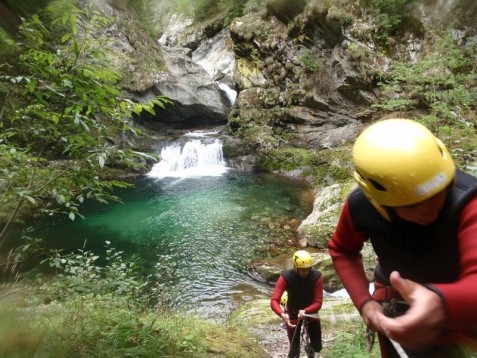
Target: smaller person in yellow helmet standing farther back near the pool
x=304, y=287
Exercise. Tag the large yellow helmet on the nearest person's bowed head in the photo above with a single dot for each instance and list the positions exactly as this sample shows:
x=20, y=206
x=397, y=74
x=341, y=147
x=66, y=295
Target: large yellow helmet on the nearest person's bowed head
x=399, y=162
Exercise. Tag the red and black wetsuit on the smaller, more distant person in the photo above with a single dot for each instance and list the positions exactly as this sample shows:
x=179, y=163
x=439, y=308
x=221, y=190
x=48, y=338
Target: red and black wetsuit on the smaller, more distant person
x=303, y=293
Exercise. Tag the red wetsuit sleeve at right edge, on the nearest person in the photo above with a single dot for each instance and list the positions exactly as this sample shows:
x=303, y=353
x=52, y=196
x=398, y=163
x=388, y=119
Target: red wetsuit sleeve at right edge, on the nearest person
x=460, y=297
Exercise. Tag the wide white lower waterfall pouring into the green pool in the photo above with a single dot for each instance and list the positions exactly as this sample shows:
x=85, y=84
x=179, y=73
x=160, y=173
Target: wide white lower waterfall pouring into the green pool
x=196, y=157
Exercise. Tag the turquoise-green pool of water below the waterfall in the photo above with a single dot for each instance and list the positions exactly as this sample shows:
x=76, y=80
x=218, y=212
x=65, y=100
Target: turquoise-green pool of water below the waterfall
x=199, y=234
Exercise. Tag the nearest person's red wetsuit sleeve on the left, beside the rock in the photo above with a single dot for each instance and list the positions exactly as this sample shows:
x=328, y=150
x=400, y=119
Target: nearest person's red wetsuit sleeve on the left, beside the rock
x=345, y=250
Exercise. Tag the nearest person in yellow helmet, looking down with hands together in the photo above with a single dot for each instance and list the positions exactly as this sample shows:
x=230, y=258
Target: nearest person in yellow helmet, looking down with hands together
x=420, y=214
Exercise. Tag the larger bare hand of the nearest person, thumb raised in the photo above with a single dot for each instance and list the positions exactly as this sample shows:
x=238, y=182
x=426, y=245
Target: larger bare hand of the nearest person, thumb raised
x=423, y=322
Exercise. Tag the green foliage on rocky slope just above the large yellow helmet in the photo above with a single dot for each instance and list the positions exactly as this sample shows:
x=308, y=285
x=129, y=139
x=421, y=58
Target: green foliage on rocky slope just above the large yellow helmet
x=439, y=83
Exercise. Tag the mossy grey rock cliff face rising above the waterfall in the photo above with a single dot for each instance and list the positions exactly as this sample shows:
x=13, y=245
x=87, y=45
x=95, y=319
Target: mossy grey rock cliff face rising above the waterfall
x=310, y=71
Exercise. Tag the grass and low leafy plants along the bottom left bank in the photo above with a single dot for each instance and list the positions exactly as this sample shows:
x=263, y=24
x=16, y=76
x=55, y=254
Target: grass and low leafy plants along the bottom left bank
x=93, y=310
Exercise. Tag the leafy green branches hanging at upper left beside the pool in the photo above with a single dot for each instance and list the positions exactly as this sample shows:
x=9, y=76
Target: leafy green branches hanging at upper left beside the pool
x=63, y=116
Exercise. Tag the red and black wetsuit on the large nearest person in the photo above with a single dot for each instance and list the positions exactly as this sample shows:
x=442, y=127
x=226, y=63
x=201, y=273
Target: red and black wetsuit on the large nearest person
x=442, y=255
